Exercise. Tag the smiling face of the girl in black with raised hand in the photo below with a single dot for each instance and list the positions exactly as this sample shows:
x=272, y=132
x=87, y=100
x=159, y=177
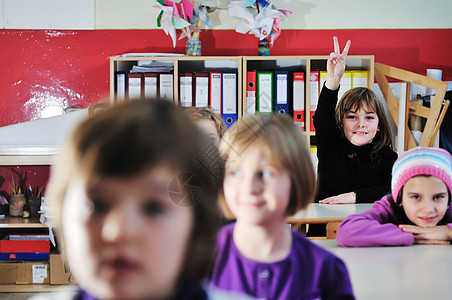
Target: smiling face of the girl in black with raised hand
x=361, y=126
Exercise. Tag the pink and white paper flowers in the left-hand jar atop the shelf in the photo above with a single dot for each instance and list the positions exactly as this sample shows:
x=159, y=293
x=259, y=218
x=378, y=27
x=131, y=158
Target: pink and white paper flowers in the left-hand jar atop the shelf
x=187, y=16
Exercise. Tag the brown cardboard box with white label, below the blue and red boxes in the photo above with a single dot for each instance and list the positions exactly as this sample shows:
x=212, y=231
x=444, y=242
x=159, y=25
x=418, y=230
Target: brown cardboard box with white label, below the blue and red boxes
x=24, y=272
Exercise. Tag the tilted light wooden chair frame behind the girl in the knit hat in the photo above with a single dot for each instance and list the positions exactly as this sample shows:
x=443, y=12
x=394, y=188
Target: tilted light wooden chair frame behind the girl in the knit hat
x=434, y=114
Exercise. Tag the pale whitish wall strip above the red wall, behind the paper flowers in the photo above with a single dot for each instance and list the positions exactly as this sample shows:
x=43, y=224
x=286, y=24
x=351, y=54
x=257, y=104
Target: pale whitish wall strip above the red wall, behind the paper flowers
x=308, y=14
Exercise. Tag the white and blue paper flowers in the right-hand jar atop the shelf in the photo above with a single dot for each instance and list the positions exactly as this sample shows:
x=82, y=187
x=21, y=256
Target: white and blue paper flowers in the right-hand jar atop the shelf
x=257, y=17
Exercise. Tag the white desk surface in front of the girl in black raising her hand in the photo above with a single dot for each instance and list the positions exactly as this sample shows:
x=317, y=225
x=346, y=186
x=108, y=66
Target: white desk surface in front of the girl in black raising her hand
x=322, y=213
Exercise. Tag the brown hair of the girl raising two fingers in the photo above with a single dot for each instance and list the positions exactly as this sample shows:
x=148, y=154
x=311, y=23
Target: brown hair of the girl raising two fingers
x=357, y=98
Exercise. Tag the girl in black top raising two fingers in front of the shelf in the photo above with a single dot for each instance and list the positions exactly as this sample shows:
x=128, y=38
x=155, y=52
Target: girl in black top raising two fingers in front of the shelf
x=353, y=140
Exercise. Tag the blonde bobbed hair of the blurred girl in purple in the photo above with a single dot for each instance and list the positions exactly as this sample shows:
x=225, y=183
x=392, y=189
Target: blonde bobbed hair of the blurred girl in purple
x=286, y=147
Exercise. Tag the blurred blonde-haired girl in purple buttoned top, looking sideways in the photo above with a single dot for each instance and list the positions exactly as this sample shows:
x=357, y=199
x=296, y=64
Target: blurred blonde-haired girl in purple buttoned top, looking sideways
x=269, y=176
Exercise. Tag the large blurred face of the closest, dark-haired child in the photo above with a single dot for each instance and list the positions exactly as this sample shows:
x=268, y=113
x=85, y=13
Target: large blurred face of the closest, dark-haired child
x=125, y=238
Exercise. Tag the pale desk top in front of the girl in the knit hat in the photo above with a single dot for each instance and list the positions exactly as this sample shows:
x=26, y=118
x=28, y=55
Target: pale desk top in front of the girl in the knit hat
x=413, y=272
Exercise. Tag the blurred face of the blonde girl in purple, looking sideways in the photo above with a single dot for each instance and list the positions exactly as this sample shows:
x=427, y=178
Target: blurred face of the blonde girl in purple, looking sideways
x=256, y=192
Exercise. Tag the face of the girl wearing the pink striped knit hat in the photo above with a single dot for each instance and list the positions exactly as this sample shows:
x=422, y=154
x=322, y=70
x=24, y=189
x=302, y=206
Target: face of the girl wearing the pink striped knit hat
x=425, y=200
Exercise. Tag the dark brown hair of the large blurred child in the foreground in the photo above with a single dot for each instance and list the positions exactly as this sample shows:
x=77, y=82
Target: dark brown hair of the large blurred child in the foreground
x=130, y=138
